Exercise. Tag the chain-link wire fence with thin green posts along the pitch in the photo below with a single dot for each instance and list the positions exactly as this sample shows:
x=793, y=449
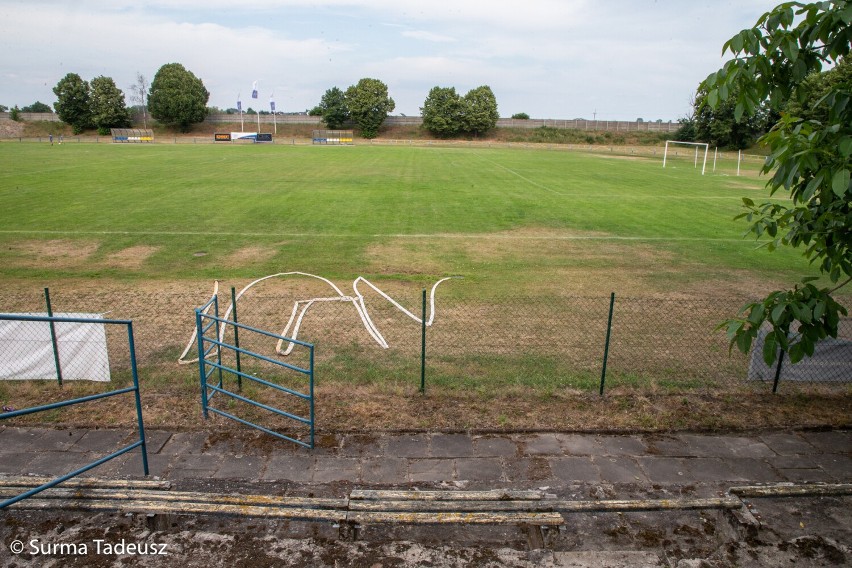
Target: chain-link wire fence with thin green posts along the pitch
x=657, y=346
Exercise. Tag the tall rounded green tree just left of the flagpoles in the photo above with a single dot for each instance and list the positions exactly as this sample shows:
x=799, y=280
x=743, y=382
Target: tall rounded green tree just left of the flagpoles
x=177, y=97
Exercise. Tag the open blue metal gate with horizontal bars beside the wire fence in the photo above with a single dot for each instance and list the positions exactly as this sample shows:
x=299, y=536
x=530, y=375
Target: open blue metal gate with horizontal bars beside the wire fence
x=207, y=367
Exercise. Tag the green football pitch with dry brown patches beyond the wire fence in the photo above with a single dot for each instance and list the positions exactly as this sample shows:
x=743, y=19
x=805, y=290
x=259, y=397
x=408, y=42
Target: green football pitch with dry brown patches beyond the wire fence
x=507, y=218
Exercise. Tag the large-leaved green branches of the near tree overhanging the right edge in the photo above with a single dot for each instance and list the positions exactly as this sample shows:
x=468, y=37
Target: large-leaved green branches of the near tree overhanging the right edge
x=810, y=159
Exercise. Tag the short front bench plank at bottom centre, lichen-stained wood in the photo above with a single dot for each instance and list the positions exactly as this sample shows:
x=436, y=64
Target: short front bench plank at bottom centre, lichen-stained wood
x=409, y=518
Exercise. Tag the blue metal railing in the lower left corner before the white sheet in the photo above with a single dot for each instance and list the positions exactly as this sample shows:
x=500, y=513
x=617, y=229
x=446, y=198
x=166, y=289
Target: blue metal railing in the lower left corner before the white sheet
x=134, y=389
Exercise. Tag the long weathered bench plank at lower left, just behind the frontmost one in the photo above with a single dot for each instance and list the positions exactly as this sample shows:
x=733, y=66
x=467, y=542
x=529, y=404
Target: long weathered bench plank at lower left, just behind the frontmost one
x=186, y=496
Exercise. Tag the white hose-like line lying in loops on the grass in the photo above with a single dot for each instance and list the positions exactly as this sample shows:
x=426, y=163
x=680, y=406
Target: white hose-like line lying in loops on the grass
x=301, y=307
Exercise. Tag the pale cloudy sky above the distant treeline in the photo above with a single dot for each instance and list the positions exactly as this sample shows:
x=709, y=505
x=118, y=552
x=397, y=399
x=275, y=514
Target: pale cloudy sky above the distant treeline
x=560, y=59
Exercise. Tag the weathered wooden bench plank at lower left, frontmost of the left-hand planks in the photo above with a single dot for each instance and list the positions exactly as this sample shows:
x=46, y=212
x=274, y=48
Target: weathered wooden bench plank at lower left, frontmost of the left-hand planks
x=181, y=508
